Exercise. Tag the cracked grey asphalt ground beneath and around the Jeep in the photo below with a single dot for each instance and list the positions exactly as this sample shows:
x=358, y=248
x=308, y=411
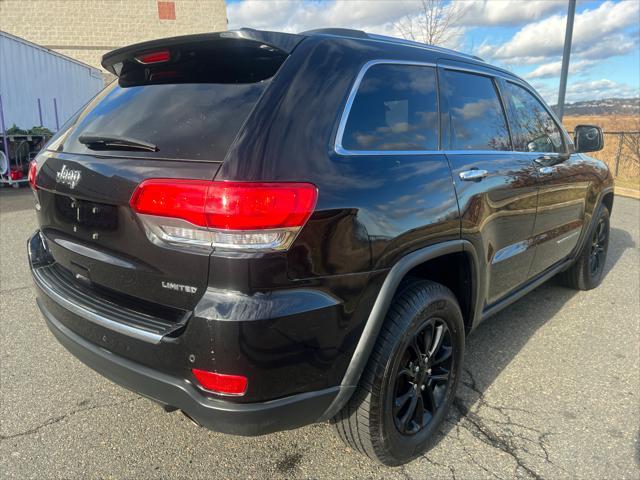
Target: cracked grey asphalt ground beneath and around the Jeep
x=551, y=390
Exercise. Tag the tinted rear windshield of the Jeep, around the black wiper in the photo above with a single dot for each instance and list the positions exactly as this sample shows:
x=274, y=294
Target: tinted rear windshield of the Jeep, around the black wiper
x=196, y=121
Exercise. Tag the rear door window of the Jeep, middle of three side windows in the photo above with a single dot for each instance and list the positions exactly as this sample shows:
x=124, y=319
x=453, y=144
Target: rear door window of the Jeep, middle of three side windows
x=477, y=119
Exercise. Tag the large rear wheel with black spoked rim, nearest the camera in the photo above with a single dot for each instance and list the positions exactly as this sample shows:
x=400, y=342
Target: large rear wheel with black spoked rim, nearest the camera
x=372, y=422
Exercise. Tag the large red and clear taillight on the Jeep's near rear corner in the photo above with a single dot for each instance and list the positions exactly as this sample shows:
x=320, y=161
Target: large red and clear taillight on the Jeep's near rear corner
x=230, y=215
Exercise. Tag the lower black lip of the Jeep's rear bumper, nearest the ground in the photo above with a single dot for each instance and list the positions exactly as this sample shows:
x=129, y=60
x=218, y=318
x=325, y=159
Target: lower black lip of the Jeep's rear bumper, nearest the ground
x=219, y=415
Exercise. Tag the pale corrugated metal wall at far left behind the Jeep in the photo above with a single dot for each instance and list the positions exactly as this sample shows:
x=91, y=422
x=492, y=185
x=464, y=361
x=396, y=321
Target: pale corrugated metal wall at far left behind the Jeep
x=29, y=72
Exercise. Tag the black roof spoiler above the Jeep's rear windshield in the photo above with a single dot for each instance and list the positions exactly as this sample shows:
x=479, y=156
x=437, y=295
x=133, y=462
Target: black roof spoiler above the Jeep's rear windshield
x=246, y=38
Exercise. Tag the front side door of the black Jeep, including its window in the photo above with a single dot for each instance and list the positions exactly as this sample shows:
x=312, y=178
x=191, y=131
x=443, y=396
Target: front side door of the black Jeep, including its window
x=562, y=188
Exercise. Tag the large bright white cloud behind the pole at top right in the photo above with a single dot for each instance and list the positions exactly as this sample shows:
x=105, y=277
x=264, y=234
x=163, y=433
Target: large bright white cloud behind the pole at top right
x=596, y=32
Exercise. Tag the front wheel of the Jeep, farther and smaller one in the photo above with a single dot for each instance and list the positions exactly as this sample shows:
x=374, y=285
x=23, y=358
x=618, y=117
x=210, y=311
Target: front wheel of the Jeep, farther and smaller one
x=588, y=269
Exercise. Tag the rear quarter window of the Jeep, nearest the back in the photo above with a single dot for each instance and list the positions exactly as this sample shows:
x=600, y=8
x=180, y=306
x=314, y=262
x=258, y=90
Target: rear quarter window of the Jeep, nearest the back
x=395, y=109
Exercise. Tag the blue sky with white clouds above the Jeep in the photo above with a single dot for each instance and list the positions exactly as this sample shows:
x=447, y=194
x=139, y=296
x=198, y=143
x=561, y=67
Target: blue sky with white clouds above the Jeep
x=525, y=37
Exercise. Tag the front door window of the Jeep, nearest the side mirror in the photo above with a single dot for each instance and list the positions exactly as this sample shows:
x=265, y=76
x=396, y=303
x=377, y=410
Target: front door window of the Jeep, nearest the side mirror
x=533, y=128
